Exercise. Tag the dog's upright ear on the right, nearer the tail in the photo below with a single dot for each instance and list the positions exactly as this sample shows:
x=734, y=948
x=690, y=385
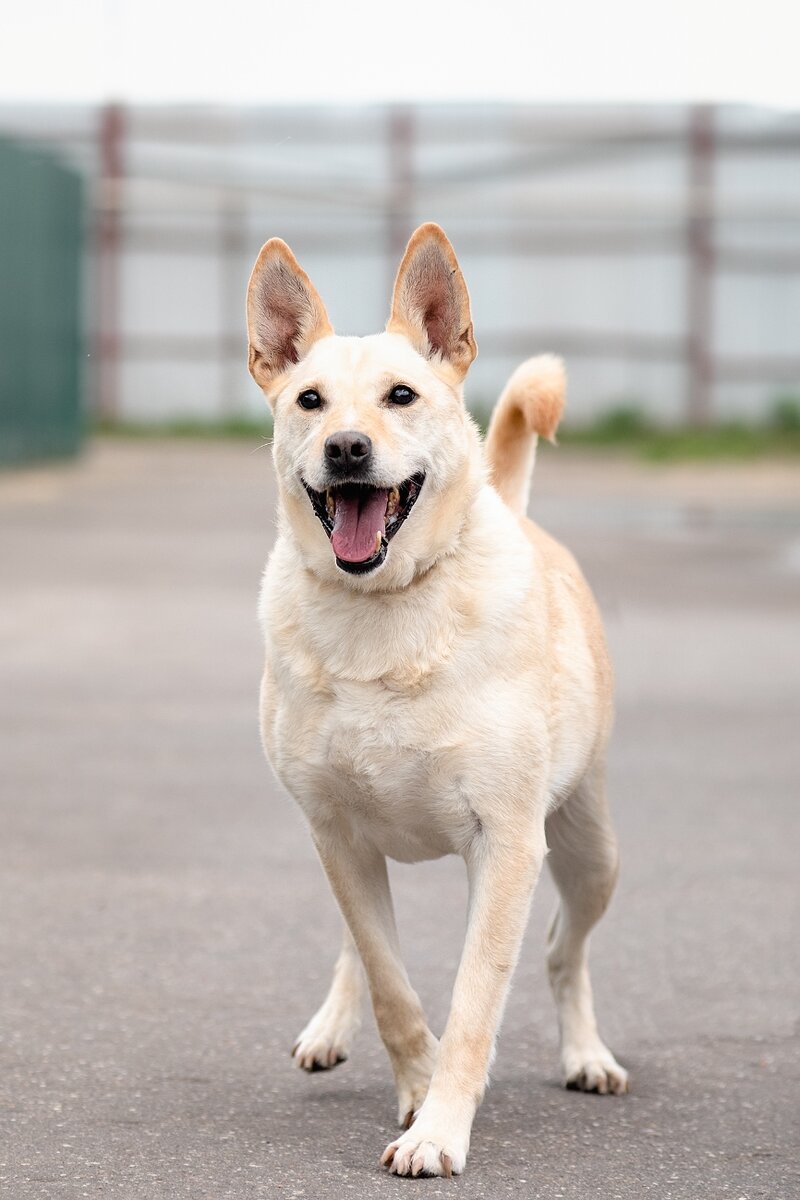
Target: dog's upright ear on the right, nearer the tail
x=431, y=302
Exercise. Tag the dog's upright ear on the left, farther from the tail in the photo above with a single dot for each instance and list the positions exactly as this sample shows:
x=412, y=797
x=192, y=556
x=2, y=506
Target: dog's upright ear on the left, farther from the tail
x=285, y=314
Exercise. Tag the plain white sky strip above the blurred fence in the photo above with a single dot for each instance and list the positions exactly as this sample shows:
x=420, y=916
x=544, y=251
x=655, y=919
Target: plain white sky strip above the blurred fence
x=363, y=51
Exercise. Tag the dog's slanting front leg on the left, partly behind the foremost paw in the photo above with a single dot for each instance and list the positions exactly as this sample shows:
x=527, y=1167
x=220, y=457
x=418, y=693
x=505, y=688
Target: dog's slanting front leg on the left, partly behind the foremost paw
x=360, y=883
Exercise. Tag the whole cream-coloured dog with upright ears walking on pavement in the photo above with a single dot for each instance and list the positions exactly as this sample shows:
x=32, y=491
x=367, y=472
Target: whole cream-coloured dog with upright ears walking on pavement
x=437, y=680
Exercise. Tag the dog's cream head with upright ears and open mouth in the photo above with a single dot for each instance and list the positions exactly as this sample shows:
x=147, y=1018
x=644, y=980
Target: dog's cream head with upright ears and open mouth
x=378, y=461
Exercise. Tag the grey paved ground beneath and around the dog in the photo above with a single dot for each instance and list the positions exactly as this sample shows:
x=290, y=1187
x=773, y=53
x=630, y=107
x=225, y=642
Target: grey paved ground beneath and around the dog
x=165, y=929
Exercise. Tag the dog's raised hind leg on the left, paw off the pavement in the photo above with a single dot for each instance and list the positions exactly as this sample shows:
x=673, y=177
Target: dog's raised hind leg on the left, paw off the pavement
x=327, y=1040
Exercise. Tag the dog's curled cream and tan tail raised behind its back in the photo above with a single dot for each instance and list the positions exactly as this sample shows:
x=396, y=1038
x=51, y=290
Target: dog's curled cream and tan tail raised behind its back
x=530, y=409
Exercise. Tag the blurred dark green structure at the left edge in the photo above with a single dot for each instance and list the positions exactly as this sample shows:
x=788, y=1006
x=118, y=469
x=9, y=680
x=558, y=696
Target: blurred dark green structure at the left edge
x=41, y=238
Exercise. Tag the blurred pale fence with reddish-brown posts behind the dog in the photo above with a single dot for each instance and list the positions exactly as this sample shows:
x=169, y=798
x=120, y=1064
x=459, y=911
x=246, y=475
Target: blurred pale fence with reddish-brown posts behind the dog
x=657, y=248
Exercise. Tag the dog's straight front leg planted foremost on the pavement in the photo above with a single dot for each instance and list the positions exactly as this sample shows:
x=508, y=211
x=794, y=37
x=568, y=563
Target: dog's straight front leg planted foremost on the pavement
x=502, y=878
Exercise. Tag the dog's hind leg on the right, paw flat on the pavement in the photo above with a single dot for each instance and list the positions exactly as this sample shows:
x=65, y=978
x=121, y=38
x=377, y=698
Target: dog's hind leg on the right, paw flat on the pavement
x=585, y=865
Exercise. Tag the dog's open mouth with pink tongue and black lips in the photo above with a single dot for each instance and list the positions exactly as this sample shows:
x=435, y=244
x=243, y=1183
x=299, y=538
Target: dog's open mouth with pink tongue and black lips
x=362, y=520
